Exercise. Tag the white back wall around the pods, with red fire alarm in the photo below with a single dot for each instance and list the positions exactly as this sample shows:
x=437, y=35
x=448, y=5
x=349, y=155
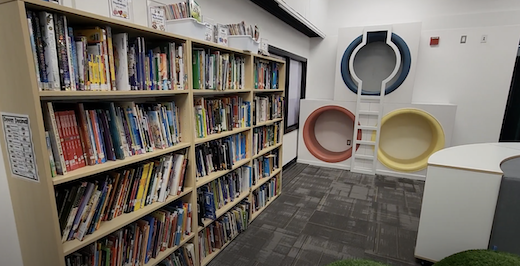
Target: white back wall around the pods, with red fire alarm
x=474, y=76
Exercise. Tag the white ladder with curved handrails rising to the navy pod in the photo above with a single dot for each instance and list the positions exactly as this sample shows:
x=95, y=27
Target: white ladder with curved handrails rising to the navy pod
x=364, y=159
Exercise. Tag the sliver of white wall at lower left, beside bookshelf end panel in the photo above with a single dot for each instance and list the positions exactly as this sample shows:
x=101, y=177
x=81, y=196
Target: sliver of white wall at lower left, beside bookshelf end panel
x=9, y=246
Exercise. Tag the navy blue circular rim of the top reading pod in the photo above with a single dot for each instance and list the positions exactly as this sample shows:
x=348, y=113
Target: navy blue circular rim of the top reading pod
x=406, y=60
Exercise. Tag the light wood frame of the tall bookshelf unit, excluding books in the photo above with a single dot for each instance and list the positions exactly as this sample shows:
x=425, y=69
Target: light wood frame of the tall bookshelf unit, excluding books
x=34, y=203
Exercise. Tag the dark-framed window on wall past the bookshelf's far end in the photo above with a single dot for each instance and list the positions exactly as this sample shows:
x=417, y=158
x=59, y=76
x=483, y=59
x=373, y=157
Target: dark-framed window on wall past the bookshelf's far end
x=296, y=73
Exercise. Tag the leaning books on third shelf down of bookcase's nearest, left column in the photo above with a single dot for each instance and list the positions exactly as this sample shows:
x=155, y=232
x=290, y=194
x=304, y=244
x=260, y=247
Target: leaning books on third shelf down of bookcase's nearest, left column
x=82, y=206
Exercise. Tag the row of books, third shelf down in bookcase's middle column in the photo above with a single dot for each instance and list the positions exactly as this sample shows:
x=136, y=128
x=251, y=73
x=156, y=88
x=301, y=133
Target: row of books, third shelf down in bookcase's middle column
x=221, y=154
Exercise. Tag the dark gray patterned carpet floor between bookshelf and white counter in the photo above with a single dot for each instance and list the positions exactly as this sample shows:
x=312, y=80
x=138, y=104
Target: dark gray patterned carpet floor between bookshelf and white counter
x=325, y=214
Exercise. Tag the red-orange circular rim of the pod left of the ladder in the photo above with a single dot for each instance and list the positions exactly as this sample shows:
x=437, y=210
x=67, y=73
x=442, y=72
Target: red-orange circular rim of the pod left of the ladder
x=311, y=142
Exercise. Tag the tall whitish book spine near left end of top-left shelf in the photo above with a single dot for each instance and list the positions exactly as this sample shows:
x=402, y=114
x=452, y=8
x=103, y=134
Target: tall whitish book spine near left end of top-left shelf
x=50, y=50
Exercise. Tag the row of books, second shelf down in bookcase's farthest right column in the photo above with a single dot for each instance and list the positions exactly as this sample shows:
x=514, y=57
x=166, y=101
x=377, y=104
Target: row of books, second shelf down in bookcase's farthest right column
x=267, y=107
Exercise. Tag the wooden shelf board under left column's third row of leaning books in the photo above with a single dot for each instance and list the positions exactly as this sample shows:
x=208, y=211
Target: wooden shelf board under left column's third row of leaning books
x=109, y=227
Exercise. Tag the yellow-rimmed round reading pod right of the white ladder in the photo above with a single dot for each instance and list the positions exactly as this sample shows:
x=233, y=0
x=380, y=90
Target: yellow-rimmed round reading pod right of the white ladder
x=407, y=138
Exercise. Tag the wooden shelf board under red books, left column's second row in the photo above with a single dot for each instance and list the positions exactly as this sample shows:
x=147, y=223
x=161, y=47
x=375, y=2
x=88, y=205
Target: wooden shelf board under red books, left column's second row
x=110, y=165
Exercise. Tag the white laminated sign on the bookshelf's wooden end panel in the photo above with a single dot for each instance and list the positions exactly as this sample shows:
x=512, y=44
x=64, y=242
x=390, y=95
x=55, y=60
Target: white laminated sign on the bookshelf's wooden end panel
x=18, y=138
